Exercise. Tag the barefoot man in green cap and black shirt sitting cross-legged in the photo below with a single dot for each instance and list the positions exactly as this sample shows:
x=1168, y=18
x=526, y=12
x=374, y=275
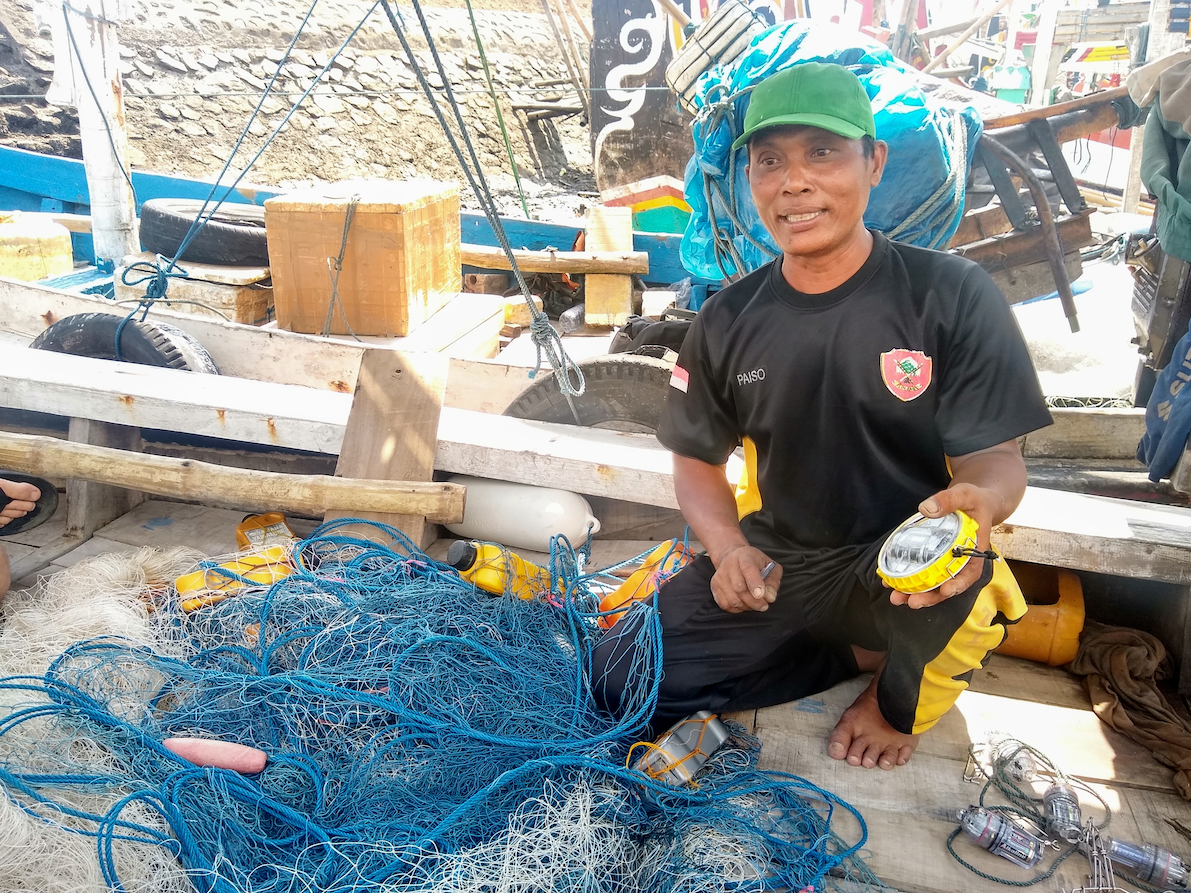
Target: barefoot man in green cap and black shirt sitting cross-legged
x=866, y=380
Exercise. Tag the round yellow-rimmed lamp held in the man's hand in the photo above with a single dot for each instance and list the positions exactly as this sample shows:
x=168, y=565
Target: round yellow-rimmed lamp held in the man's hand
x=920, y=554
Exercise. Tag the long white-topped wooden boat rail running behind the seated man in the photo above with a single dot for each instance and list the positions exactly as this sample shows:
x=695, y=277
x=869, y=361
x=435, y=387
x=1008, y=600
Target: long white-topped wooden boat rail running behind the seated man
x=1050, y=528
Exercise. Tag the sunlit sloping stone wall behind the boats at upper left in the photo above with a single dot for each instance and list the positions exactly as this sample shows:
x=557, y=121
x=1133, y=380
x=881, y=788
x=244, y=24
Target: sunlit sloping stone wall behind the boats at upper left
x=194, y=74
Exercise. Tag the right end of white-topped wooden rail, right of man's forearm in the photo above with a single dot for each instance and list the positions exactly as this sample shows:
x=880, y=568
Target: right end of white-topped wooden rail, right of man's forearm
x=1099, y=534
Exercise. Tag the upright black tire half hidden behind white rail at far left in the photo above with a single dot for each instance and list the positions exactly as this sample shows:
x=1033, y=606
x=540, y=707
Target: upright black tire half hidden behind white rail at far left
x=93, y=335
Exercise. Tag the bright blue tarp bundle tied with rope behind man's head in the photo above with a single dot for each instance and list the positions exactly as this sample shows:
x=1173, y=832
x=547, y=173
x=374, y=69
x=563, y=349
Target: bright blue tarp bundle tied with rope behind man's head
x=920, y=199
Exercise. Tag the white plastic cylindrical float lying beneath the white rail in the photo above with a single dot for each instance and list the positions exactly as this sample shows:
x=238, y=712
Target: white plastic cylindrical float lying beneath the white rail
x=522, y=516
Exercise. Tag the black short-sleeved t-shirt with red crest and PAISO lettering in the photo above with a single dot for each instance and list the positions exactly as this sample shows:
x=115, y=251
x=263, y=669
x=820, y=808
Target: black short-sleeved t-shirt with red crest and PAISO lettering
x=856, y=397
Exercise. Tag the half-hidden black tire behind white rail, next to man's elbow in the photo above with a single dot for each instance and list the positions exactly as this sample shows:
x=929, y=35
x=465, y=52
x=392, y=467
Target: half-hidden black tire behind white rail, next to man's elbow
x=625, y=394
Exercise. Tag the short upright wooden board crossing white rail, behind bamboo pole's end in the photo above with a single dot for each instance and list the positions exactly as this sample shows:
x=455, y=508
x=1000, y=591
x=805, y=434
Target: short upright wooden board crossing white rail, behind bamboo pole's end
x=392, y=430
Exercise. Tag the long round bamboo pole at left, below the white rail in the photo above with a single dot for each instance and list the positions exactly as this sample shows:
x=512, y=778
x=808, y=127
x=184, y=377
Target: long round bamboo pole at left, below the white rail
x=227, y=488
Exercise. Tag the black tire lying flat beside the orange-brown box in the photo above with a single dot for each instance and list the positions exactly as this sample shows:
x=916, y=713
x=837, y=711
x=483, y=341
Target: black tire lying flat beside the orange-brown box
x=234, y=236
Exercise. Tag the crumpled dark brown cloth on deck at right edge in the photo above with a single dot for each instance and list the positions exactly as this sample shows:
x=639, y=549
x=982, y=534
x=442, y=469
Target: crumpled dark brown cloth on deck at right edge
x=1121, y=671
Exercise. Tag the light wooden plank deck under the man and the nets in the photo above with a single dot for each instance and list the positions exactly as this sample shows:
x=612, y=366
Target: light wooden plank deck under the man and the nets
x=909, y=811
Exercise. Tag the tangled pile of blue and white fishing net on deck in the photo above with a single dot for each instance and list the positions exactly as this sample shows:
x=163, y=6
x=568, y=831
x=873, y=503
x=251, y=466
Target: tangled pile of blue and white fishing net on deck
x=421, y=736
